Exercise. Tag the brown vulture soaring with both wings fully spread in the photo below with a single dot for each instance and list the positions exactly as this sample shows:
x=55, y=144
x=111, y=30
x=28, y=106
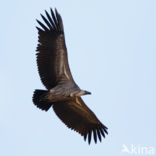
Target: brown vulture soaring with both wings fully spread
x=62, y=93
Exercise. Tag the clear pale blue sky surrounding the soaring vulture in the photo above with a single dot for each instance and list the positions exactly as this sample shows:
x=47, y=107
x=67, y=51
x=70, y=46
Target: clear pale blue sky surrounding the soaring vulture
x=112, y=53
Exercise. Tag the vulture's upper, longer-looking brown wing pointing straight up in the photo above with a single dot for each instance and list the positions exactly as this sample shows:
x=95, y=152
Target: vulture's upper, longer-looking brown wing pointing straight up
x=52, y=58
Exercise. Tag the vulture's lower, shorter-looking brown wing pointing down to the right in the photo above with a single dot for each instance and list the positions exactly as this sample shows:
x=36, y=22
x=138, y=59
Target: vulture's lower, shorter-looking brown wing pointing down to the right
x=77, y=116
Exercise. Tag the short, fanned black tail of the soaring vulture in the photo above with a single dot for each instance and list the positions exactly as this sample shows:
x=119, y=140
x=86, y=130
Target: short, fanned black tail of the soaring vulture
x=40, y=101
